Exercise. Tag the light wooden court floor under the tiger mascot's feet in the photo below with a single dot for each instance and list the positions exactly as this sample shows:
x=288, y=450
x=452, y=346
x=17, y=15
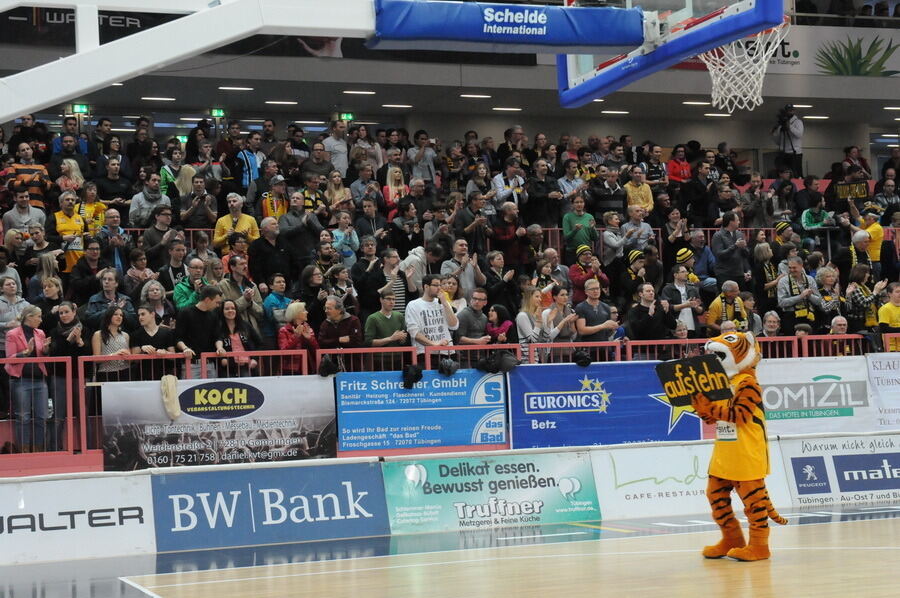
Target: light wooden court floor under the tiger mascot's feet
x=841, y=559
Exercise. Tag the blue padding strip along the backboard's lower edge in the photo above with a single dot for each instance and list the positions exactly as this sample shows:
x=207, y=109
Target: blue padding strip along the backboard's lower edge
x=700, y=40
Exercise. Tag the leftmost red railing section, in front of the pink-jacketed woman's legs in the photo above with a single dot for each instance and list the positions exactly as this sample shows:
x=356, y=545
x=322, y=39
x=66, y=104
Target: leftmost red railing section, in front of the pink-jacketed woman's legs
x=42, y=419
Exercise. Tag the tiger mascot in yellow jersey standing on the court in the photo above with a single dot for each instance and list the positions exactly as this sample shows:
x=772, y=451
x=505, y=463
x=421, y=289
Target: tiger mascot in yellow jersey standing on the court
x=740, y=459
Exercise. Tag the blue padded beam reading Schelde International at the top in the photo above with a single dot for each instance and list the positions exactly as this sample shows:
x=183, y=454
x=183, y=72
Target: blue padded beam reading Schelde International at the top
x=503, y=27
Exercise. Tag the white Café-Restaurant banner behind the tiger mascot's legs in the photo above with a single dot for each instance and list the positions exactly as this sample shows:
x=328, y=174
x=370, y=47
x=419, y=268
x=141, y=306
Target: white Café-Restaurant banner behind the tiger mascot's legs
x=660, y=481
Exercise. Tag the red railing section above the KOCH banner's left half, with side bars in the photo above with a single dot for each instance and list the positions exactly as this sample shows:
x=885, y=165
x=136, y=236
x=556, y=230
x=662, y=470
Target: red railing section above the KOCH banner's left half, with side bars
x=92, y=371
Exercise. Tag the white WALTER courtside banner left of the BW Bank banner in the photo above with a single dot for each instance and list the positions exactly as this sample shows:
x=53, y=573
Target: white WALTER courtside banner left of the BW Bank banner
x=70, y=518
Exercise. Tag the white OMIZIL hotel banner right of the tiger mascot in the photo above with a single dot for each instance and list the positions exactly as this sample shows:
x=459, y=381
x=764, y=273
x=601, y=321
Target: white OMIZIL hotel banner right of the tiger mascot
x=817, y=394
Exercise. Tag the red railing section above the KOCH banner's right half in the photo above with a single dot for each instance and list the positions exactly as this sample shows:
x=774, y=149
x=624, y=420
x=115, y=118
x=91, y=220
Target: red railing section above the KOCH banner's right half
x=241, y=364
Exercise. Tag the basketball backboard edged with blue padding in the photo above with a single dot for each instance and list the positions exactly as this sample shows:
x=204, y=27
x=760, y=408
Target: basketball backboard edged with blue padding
x=674, y=30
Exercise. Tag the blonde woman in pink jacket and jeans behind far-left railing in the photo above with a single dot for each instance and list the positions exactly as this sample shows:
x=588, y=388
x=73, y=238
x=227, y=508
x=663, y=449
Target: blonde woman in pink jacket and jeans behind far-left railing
x=28, y=381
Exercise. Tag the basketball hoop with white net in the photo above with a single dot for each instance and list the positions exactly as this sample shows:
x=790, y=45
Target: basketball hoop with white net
x=737, y=69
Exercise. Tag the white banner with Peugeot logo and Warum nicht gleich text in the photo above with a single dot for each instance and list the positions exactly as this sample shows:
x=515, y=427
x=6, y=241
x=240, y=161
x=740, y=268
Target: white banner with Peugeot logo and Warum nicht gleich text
x=842, y=470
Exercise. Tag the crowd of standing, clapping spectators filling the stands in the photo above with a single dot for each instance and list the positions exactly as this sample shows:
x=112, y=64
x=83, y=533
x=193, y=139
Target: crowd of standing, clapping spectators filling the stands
x=267, y=240
